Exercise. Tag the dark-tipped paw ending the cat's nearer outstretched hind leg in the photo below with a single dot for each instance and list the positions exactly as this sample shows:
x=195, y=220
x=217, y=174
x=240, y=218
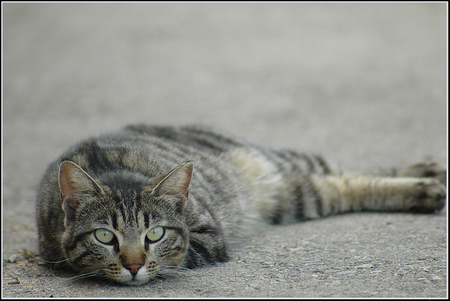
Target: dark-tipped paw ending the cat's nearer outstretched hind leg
x=428, y=196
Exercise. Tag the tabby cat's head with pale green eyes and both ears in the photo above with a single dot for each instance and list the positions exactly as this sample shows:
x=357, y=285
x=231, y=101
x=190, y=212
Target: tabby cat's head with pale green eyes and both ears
x=122, y=225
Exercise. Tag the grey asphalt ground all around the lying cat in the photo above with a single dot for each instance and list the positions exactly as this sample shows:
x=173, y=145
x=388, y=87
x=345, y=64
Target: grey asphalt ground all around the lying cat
x=363, y=84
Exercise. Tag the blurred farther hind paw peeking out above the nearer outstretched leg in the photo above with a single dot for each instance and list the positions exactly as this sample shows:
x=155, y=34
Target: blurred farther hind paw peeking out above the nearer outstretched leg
x=424, y=170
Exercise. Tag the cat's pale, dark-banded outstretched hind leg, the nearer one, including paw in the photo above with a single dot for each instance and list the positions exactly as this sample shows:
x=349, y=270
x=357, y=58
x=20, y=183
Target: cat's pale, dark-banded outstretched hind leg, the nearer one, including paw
x=347, y=193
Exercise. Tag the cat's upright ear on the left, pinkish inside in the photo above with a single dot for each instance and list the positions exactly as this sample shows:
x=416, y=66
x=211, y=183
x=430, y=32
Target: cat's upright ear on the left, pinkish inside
x=75, y=183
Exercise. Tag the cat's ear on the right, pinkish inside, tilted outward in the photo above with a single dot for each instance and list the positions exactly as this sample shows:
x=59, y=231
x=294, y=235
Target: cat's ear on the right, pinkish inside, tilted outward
x=176, y=183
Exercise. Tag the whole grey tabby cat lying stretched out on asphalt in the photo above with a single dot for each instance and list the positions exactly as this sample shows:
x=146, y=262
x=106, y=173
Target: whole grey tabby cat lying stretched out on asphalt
x=127, y=206
